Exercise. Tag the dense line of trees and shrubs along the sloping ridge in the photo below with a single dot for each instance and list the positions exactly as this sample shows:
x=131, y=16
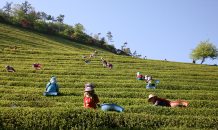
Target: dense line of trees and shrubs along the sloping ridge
x=25, y=15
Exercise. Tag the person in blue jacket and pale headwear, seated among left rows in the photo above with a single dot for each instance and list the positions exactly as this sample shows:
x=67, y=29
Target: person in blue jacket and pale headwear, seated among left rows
x=52, y=86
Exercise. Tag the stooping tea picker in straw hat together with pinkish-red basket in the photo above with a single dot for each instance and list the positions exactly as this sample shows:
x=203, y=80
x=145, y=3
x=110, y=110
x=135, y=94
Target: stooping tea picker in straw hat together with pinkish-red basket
x=157, y=101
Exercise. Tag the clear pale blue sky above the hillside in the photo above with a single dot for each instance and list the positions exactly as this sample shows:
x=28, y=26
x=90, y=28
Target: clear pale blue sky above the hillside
x=158, y=29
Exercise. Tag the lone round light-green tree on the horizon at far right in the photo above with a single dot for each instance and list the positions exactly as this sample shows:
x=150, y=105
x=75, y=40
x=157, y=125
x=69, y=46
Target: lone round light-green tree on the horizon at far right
x=204, y=50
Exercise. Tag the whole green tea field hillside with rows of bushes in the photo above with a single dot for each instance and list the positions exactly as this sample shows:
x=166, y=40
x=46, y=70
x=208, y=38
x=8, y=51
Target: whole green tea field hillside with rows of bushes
x=61, y=58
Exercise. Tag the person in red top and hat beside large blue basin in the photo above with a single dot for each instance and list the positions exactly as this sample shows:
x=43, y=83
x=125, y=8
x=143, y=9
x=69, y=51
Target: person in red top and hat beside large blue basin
x=90, y=98
